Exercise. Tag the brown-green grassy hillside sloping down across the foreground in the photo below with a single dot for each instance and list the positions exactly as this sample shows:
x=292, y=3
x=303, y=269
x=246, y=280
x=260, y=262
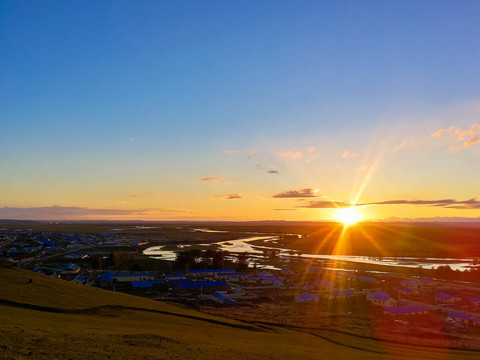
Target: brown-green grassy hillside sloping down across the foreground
x=54, y=319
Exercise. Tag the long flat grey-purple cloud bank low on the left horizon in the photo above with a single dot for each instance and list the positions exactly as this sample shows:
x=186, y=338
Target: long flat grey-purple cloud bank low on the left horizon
x=70, y=213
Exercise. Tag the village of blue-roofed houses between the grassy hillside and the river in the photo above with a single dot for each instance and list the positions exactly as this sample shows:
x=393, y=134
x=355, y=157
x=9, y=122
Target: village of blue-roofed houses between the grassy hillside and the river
x=374, y=304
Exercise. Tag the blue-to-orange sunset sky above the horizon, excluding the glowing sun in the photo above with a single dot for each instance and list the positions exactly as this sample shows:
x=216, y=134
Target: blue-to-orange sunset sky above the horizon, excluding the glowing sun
x=239, y=110
